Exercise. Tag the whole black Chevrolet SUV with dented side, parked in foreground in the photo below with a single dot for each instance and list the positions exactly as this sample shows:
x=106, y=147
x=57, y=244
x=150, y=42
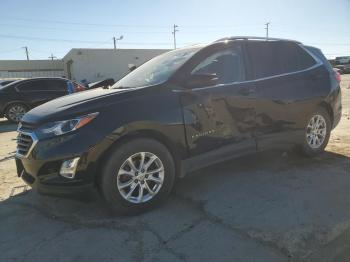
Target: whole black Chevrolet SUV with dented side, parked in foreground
x=178, y=112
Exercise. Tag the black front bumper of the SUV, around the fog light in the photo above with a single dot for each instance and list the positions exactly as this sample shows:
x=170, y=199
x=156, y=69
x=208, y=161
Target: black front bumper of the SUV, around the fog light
x=40, y=167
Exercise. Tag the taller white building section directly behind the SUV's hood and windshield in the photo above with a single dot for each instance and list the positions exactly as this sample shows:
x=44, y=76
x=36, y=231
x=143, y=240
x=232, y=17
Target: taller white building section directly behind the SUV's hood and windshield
x=93, y=65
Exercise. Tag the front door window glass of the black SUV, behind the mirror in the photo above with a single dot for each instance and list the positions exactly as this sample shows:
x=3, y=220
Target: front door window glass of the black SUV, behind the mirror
x=227, y=65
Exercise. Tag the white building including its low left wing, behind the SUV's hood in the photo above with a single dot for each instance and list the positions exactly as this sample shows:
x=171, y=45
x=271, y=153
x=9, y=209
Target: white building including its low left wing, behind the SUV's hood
x=81, y=64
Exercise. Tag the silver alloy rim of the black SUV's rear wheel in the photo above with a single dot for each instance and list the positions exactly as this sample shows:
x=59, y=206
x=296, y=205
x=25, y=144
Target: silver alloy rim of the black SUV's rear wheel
x=316, y=131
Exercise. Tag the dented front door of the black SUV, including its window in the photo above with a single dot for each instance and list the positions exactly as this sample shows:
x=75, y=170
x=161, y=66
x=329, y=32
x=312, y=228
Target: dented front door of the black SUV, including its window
x=223, y=115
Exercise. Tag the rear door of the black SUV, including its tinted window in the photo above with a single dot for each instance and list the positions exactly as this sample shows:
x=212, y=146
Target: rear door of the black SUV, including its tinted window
x=287, y=83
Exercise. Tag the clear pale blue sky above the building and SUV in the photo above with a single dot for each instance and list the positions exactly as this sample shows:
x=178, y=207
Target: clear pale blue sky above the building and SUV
x=48, y=26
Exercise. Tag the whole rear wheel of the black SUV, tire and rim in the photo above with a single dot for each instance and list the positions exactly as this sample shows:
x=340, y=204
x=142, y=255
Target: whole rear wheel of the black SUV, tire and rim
x=315, y=141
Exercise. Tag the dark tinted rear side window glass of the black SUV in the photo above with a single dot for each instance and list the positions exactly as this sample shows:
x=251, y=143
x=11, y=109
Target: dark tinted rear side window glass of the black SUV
x=275, y=58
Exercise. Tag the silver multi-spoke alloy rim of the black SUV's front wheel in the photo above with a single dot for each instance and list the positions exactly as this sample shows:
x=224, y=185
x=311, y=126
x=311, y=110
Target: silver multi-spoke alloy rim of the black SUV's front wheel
x=140, y=177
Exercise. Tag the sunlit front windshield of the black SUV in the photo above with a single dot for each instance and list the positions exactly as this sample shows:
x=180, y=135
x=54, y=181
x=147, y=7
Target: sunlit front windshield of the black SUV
x=156, y=70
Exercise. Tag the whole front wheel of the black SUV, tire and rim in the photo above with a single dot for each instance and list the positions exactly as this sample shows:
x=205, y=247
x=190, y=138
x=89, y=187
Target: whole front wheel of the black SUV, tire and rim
x=117, y=172
